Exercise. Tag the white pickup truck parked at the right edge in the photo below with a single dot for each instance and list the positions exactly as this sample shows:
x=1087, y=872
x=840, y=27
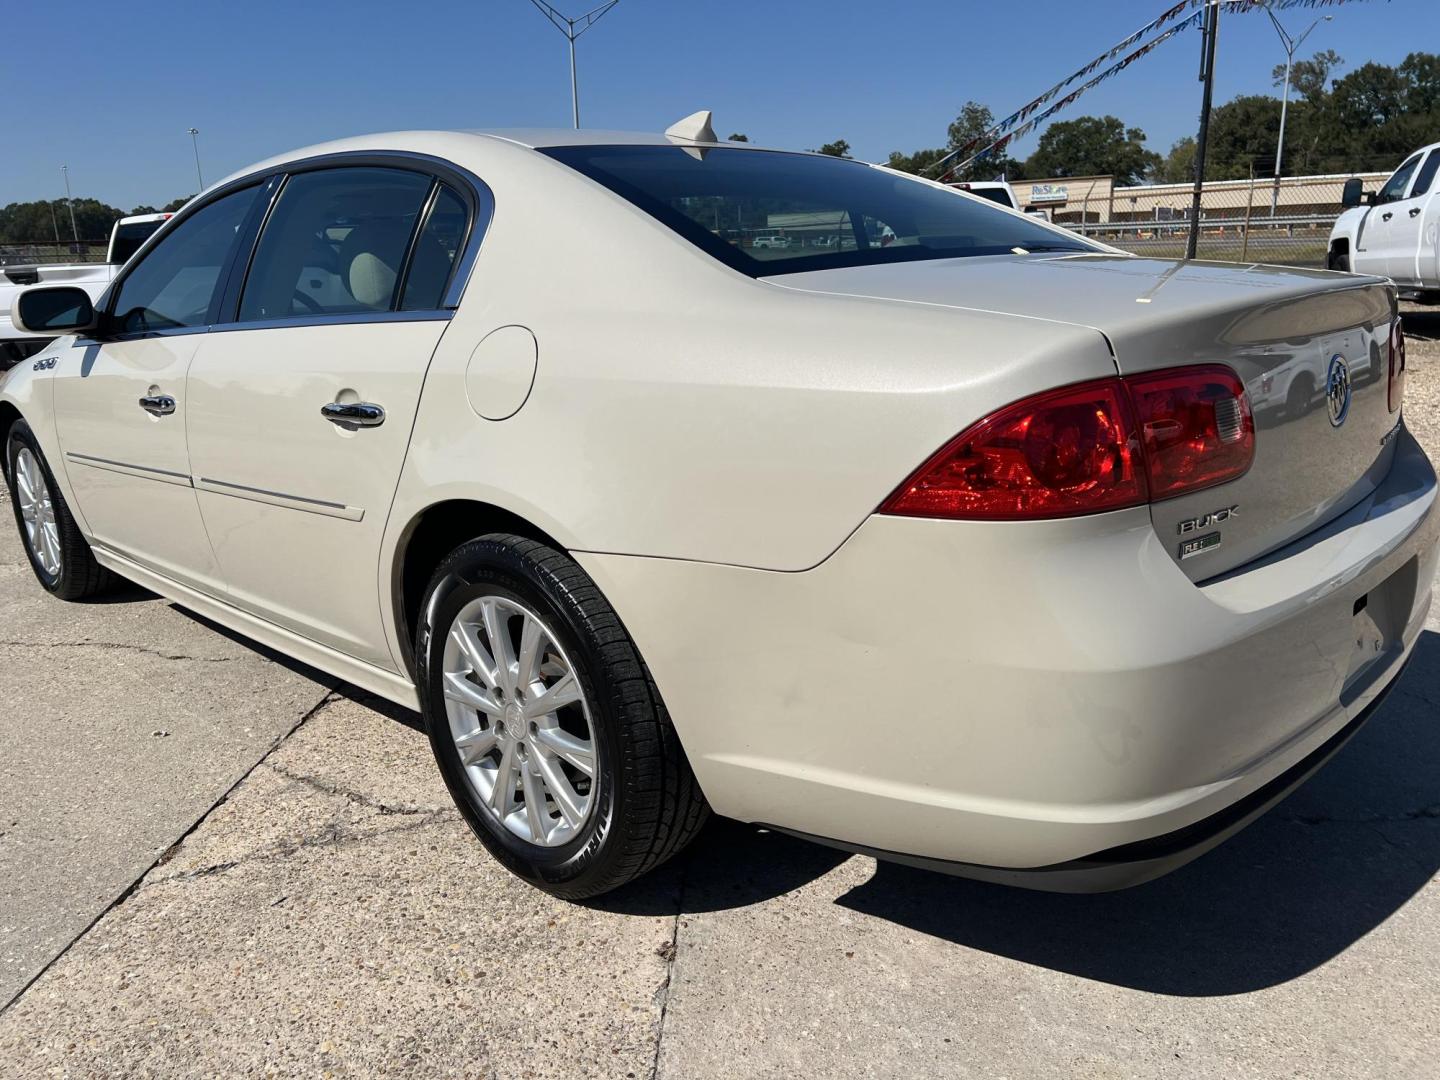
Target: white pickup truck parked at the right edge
x=1395, y=233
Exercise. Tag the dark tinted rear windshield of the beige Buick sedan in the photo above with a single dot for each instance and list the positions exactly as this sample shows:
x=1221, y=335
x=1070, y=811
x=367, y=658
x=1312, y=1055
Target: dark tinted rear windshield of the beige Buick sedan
x=770, y=212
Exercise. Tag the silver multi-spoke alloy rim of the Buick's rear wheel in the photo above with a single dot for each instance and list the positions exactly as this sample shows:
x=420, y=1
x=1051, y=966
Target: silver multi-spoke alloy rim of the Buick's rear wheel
x=521, y=721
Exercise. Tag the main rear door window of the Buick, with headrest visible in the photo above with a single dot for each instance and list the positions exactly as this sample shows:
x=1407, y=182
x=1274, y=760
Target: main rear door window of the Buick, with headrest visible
x=335, y=244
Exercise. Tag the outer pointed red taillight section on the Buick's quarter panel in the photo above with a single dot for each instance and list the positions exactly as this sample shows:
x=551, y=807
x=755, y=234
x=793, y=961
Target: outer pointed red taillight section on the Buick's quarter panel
x=1071, y=451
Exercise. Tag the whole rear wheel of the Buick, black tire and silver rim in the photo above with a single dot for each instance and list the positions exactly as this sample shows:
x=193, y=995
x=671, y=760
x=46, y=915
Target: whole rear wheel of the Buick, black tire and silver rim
x=545, y=722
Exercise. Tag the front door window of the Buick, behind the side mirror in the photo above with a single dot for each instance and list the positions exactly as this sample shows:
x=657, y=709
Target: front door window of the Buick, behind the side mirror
x=176, y=283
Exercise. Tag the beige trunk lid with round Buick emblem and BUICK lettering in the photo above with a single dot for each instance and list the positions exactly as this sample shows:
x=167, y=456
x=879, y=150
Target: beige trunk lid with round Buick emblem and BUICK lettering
x=1279, y=329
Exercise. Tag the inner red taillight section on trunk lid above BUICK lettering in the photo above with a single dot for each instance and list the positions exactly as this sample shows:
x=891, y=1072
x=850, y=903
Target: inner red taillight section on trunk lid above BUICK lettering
x=1196, y=426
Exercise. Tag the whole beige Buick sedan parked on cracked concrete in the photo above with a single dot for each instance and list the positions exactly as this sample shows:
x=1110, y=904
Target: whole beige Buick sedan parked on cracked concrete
x=955, y=539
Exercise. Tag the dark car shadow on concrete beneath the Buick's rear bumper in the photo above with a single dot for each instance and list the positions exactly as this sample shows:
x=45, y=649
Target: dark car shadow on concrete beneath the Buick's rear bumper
x=1297, y=889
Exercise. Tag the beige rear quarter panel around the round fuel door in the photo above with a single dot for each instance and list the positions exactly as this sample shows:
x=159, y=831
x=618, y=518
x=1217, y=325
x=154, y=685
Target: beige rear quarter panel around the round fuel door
x=682, y=410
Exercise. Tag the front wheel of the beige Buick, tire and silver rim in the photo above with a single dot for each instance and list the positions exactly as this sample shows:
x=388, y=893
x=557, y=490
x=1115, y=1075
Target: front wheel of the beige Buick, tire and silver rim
x=61, y=558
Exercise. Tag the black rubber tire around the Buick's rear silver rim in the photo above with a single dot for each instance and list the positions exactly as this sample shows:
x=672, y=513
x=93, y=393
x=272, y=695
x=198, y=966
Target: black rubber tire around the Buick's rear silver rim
x=649, y=806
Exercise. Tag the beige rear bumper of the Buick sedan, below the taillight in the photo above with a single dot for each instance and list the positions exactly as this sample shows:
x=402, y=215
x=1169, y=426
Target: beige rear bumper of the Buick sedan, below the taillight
x=1030, y=698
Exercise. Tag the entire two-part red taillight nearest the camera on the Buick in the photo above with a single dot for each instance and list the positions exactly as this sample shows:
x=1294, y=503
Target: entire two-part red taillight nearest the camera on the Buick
x=1089, y=449
